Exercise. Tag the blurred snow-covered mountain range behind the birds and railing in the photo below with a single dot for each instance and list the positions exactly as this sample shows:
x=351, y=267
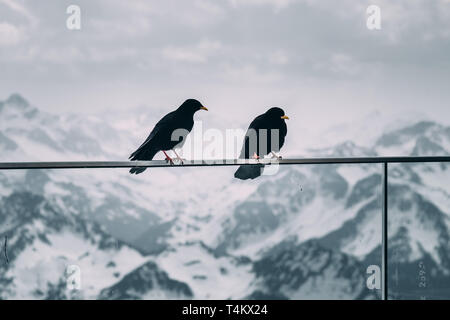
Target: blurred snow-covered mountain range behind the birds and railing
x=306, y=232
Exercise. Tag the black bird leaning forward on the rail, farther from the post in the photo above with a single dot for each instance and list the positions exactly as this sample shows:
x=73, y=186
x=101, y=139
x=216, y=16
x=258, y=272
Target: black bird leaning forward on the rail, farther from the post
x=160, y=138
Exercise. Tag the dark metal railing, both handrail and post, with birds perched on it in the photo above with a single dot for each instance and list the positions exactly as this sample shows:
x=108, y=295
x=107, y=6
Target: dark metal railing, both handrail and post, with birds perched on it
x=235, y=162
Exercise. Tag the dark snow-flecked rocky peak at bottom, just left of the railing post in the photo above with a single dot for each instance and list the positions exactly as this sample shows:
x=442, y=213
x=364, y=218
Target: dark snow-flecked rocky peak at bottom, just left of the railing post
x=289, y=267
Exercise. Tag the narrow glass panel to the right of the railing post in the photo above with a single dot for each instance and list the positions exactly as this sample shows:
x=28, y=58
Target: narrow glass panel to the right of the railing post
x=419, y=231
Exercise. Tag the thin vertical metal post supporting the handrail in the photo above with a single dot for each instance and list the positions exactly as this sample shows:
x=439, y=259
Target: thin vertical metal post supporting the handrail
x=384, y=239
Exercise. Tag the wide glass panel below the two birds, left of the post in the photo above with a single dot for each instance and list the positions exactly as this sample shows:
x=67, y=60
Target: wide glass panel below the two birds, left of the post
x=306, y=232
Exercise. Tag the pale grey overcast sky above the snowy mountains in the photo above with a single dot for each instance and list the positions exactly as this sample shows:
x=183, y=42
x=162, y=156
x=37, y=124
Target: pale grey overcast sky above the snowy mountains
x=317, y=59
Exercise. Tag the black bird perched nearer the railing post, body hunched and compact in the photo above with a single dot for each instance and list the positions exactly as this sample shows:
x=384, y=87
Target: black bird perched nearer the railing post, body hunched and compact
x=261, y=130
